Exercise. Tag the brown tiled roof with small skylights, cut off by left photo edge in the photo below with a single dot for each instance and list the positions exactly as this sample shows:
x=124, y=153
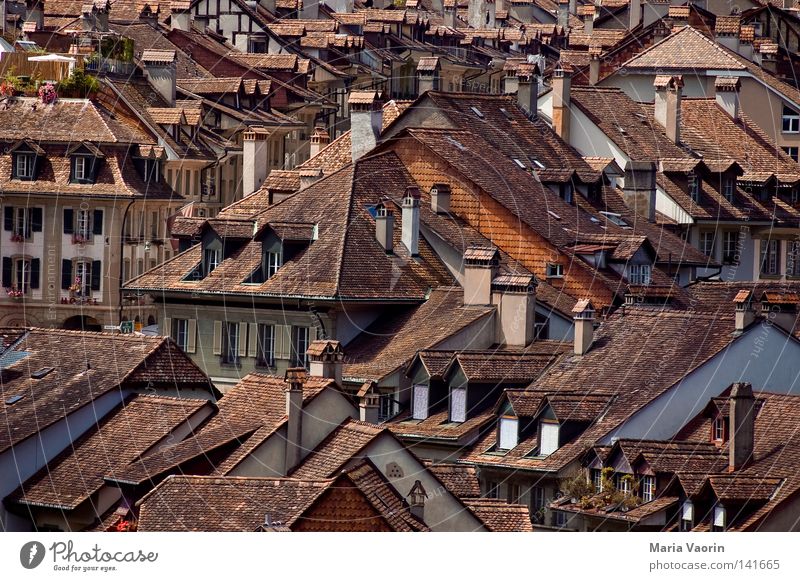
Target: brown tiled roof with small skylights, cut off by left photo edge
x=114, y=360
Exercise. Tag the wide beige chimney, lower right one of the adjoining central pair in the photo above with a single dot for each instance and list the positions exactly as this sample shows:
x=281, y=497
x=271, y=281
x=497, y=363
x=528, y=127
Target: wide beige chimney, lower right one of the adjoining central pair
x=515, y=297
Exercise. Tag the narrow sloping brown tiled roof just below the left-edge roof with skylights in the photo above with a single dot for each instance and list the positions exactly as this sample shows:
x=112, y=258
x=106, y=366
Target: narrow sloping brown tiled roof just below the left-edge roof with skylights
x=77, y=473
